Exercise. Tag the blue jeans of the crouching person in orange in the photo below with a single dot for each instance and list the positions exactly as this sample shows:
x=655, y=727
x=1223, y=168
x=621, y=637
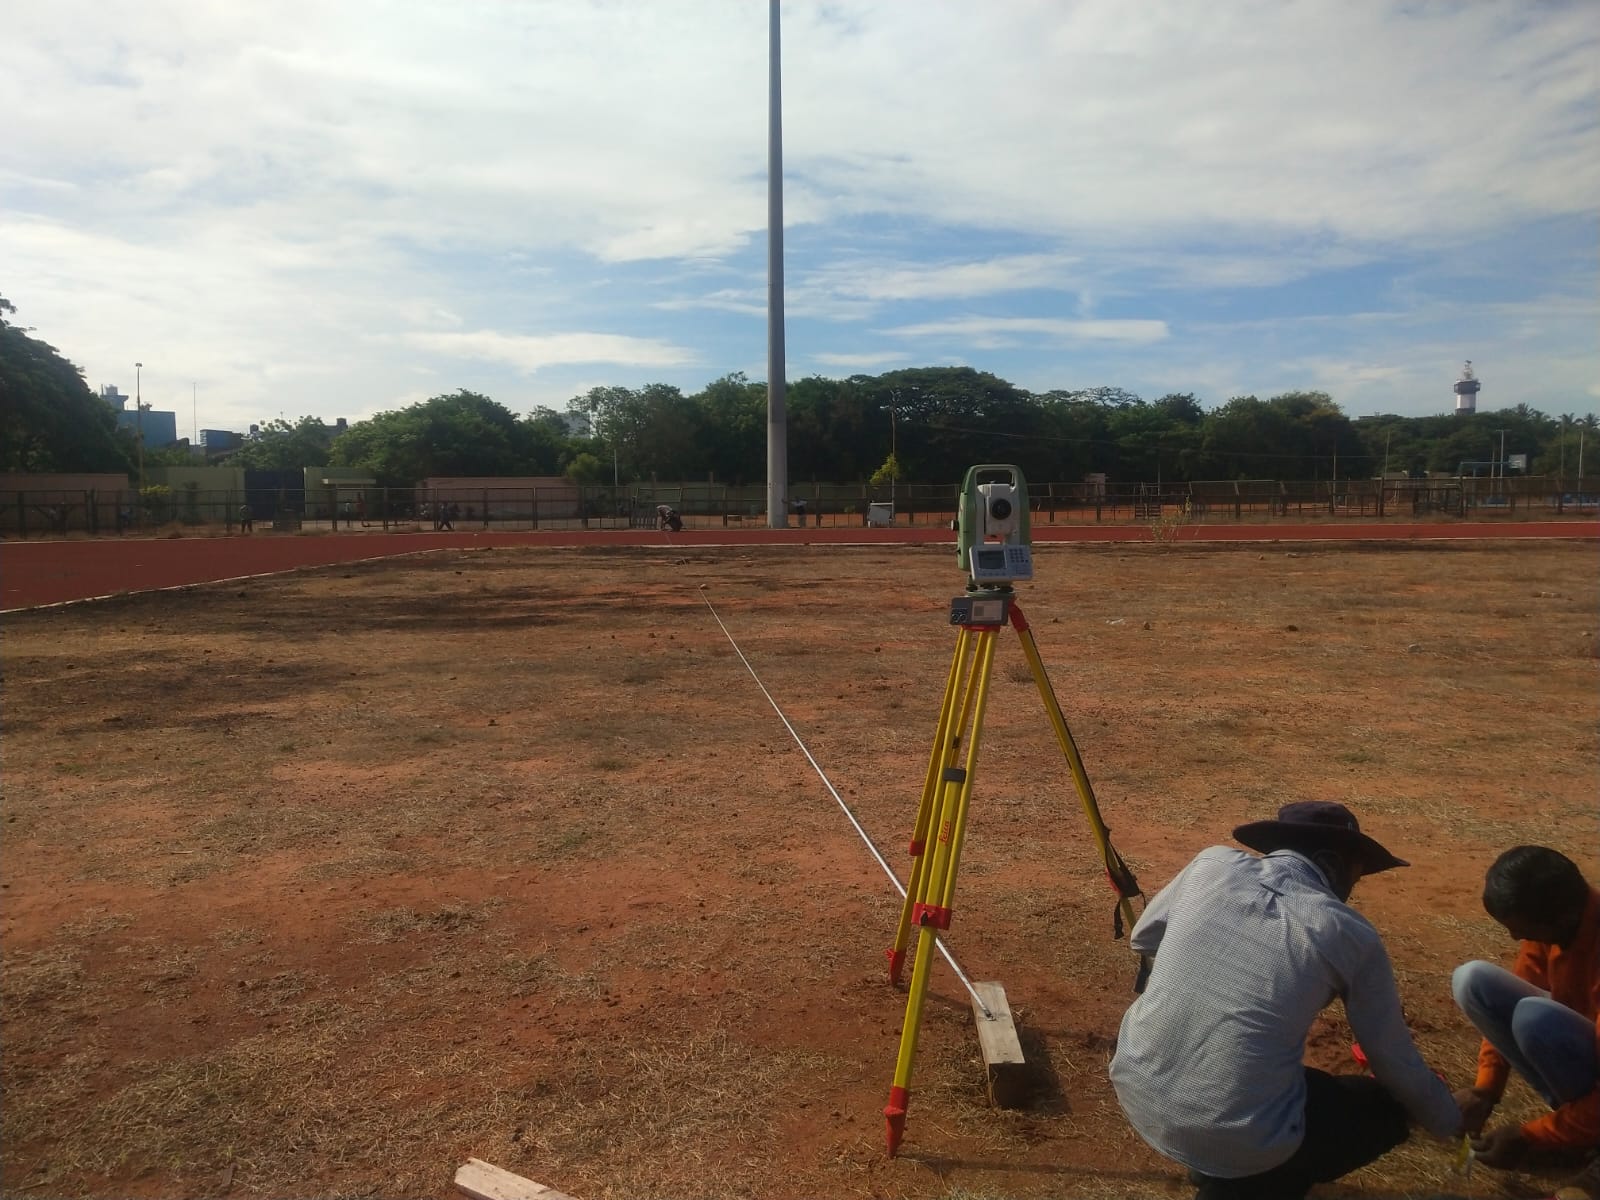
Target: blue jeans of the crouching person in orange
x=1546, y=1042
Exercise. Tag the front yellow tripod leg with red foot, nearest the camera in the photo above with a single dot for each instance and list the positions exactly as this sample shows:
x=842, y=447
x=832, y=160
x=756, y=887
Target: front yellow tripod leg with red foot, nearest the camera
x=932, y=911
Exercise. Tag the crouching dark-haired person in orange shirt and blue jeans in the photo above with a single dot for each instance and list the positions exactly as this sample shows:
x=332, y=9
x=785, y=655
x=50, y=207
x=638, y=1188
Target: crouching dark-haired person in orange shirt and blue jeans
x=1542, y=1018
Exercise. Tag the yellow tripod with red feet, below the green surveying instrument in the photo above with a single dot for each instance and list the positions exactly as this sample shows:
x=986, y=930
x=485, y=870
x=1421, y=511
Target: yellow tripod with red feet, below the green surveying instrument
x=946, y=796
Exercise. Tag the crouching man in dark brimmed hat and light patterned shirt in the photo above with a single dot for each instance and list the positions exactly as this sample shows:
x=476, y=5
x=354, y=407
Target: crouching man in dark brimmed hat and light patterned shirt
x=1249, y=951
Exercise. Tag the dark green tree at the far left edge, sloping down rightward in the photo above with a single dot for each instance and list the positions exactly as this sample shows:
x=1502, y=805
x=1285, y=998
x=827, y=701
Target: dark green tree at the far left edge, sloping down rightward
x=50, y=422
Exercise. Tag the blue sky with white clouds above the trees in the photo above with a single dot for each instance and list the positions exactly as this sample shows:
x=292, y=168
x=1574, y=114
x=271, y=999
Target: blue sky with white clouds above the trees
x=314, y=209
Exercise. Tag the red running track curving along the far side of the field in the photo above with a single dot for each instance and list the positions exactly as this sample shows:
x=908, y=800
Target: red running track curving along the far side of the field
x=62, y=572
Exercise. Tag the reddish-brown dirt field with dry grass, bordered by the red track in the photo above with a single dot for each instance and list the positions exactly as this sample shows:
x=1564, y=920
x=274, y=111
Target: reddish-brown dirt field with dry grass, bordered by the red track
x=322, y=884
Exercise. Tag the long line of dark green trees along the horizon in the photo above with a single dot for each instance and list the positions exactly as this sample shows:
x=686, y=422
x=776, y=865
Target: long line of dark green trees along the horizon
x=921, y=426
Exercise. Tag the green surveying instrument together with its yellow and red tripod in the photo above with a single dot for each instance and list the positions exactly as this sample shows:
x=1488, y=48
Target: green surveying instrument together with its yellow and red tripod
x=994, y=550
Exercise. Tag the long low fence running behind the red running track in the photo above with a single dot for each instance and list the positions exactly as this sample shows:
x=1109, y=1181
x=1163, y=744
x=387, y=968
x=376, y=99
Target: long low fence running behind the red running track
x=358, y=508
